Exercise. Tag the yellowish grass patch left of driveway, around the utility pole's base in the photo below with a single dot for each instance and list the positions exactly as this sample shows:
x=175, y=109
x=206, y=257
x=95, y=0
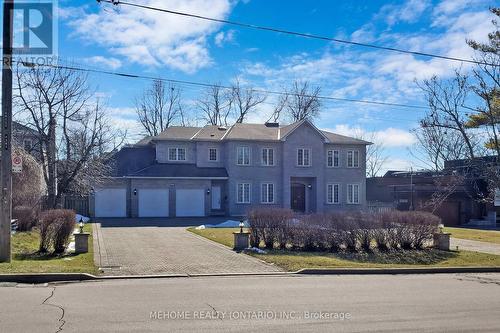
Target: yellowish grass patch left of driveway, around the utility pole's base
x=25, y=258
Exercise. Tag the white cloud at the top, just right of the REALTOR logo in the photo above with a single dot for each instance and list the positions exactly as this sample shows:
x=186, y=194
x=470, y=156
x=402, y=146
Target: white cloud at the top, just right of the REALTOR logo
x=153, y=38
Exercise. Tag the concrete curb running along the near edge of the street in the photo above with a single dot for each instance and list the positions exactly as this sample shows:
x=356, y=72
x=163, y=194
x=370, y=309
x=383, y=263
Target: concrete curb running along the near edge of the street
x=69, y=277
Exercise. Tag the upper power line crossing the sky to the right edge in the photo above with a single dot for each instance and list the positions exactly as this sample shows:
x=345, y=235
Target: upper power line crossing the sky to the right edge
x=295, y=33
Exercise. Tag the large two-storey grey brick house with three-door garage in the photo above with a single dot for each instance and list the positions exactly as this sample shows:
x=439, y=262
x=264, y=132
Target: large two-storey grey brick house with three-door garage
x=192, y=171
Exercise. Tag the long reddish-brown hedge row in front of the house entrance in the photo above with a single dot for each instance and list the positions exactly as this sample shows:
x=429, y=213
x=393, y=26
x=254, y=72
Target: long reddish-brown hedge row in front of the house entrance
x=277, y=228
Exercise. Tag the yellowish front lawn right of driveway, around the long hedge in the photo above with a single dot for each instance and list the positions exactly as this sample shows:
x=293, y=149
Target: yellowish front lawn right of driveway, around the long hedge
x=293, y=261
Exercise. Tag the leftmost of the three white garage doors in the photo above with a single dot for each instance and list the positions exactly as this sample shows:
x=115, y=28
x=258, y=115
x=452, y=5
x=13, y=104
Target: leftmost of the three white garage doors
x=111, y=202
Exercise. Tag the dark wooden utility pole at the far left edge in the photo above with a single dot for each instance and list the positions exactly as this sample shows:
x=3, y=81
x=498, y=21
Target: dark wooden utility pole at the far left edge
x=6, y=132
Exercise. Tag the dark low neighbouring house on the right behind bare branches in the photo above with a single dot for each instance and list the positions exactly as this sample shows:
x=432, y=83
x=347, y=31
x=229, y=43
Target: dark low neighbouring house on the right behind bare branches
x=460, y=197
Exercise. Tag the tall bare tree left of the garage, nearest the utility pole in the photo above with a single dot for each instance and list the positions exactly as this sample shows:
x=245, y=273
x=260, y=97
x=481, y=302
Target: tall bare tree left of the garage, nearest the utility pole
x=72, y=129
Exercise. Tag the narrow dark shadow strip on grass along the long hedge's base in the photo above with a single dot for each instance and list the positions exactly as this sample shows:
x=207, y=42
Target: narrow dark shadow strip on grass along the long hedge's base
x=405, y=257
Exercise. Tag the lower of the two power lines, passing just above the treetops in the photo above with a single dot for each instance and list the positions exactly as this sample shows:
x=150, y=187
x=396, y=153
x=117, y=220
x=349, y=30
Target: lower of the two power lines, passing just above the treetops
x=209, y=85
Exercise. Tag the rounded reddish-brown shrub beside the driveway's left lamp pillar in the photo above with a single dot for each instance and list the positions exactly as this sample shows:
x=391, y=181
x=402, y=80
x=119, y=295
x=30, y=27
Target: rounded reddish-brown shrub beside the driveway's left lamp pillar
x=56, y=226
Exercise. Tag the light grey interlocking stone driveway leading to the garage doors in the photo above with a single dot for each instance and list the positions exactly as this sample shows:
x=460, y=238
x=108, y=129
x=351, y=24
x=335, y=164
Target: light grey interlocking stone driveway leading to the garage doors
x=167, y=250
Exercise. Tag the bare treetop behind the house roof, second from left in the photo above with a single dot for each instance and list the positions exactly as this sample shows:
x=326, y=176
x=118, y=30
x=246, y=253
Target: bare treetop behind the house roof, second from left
x=216, y=105
